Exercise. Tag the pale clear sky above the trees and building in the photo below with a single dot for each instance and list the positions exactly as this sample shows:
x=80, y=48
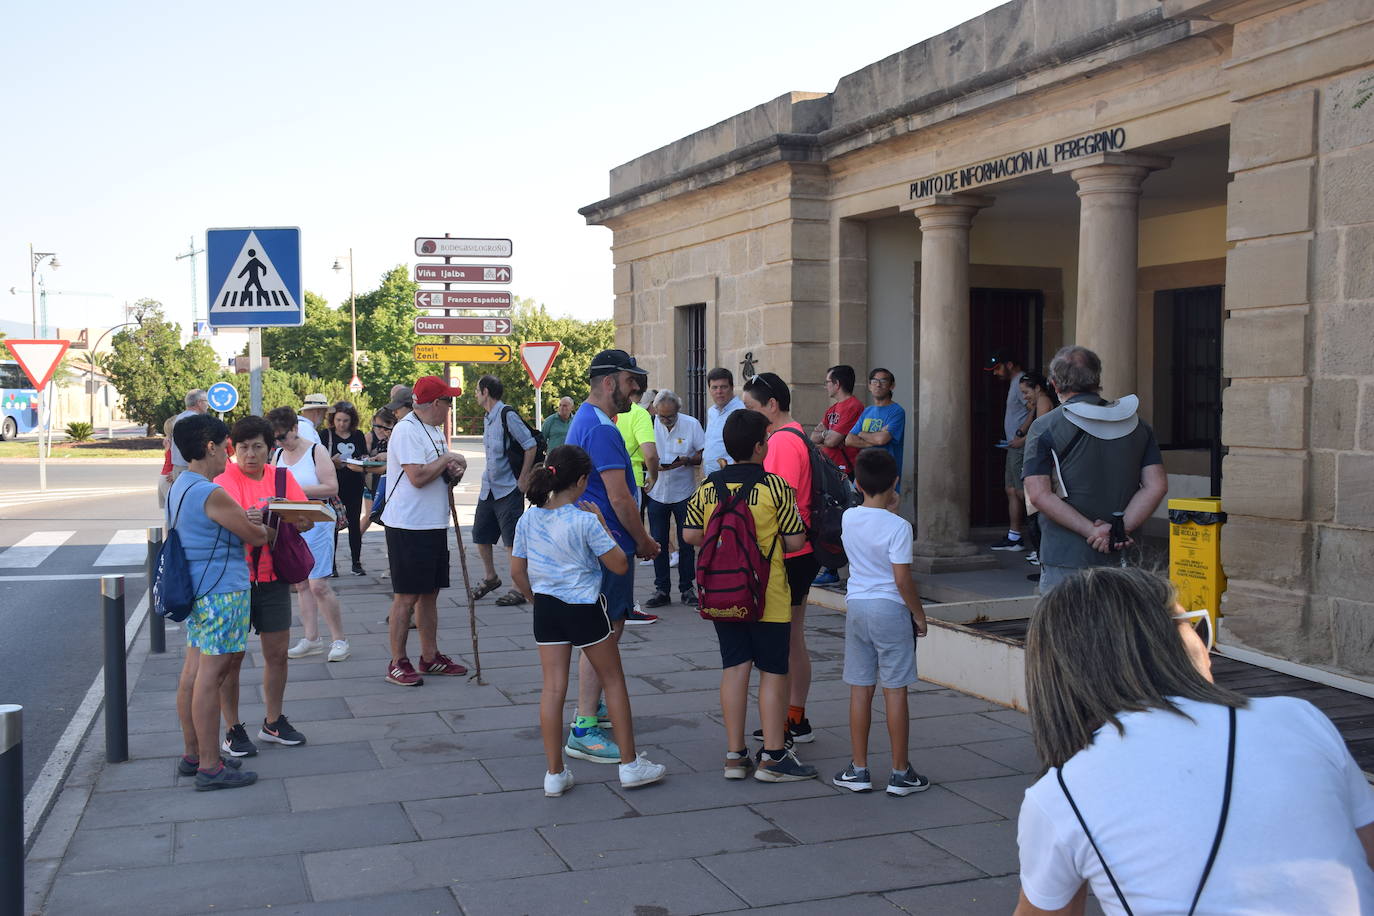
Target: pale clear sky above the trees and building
x=134, y=127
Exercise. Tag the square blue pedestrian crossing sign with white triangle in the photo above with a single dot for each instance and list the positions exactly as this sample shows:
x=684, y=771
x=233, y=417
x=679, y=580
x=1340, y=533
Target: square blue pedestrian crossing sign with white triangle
x=255, y=278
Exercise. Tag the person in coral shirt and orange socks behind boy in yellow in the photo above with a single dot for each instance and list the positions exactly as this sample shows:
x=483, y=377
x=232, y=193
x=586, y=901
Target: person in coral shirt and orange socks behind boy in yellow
x=789, y=458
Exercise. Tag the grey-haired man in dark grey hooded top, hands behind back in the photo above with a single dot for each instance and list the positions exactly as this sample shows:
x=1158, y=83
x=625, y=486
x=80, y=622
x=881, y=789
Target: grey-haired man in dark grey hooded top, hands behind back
x=1085, y=461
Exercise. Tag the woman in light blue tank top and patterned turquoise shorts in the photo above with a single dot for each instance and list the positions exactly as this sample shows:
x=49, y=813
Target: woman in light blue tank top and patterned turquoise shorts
x=214, y=531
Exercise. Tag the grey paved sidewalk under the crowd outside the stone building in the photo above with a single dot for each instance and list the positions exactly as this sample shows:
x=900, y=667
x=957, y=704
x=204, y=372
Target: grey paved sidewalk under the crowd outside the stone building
x=428, y=800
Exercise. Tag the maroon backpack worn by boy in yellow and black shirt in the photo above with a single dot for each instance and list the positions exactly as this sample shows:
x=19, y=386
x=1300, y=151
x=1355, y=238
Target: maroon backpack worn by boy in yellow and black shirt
x=732, y=569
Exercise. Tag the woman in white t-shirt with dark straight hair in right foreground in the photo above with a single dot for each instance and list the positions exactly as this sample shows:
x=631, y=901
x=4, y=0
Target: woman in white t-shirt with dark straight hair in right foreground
x=1166, y=793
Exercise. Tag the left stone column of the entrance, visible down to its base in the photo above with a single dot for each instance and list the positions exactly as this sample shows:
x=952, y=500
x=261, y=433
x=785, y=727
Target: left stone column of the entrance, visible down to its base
x=943, y=444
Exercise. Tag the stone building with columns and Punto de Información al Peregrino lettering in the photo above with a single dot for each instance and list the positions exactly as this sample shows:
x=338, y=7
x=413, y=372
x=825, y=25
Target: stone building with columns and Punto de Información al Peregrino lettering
x=1184, y=186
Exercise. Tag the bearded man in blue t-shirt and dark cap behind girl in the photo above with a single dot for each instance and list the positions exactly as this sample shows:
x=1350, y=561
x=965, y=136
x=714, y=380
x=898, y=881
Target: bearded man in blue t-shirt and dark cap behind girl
x=612, y=488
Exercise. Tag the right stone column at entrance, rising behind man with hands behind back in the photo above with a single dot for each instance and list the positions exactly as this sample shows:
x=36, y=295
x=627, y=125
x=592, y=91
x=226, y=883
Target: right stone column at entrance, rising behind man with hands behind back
x=1110, y=186
